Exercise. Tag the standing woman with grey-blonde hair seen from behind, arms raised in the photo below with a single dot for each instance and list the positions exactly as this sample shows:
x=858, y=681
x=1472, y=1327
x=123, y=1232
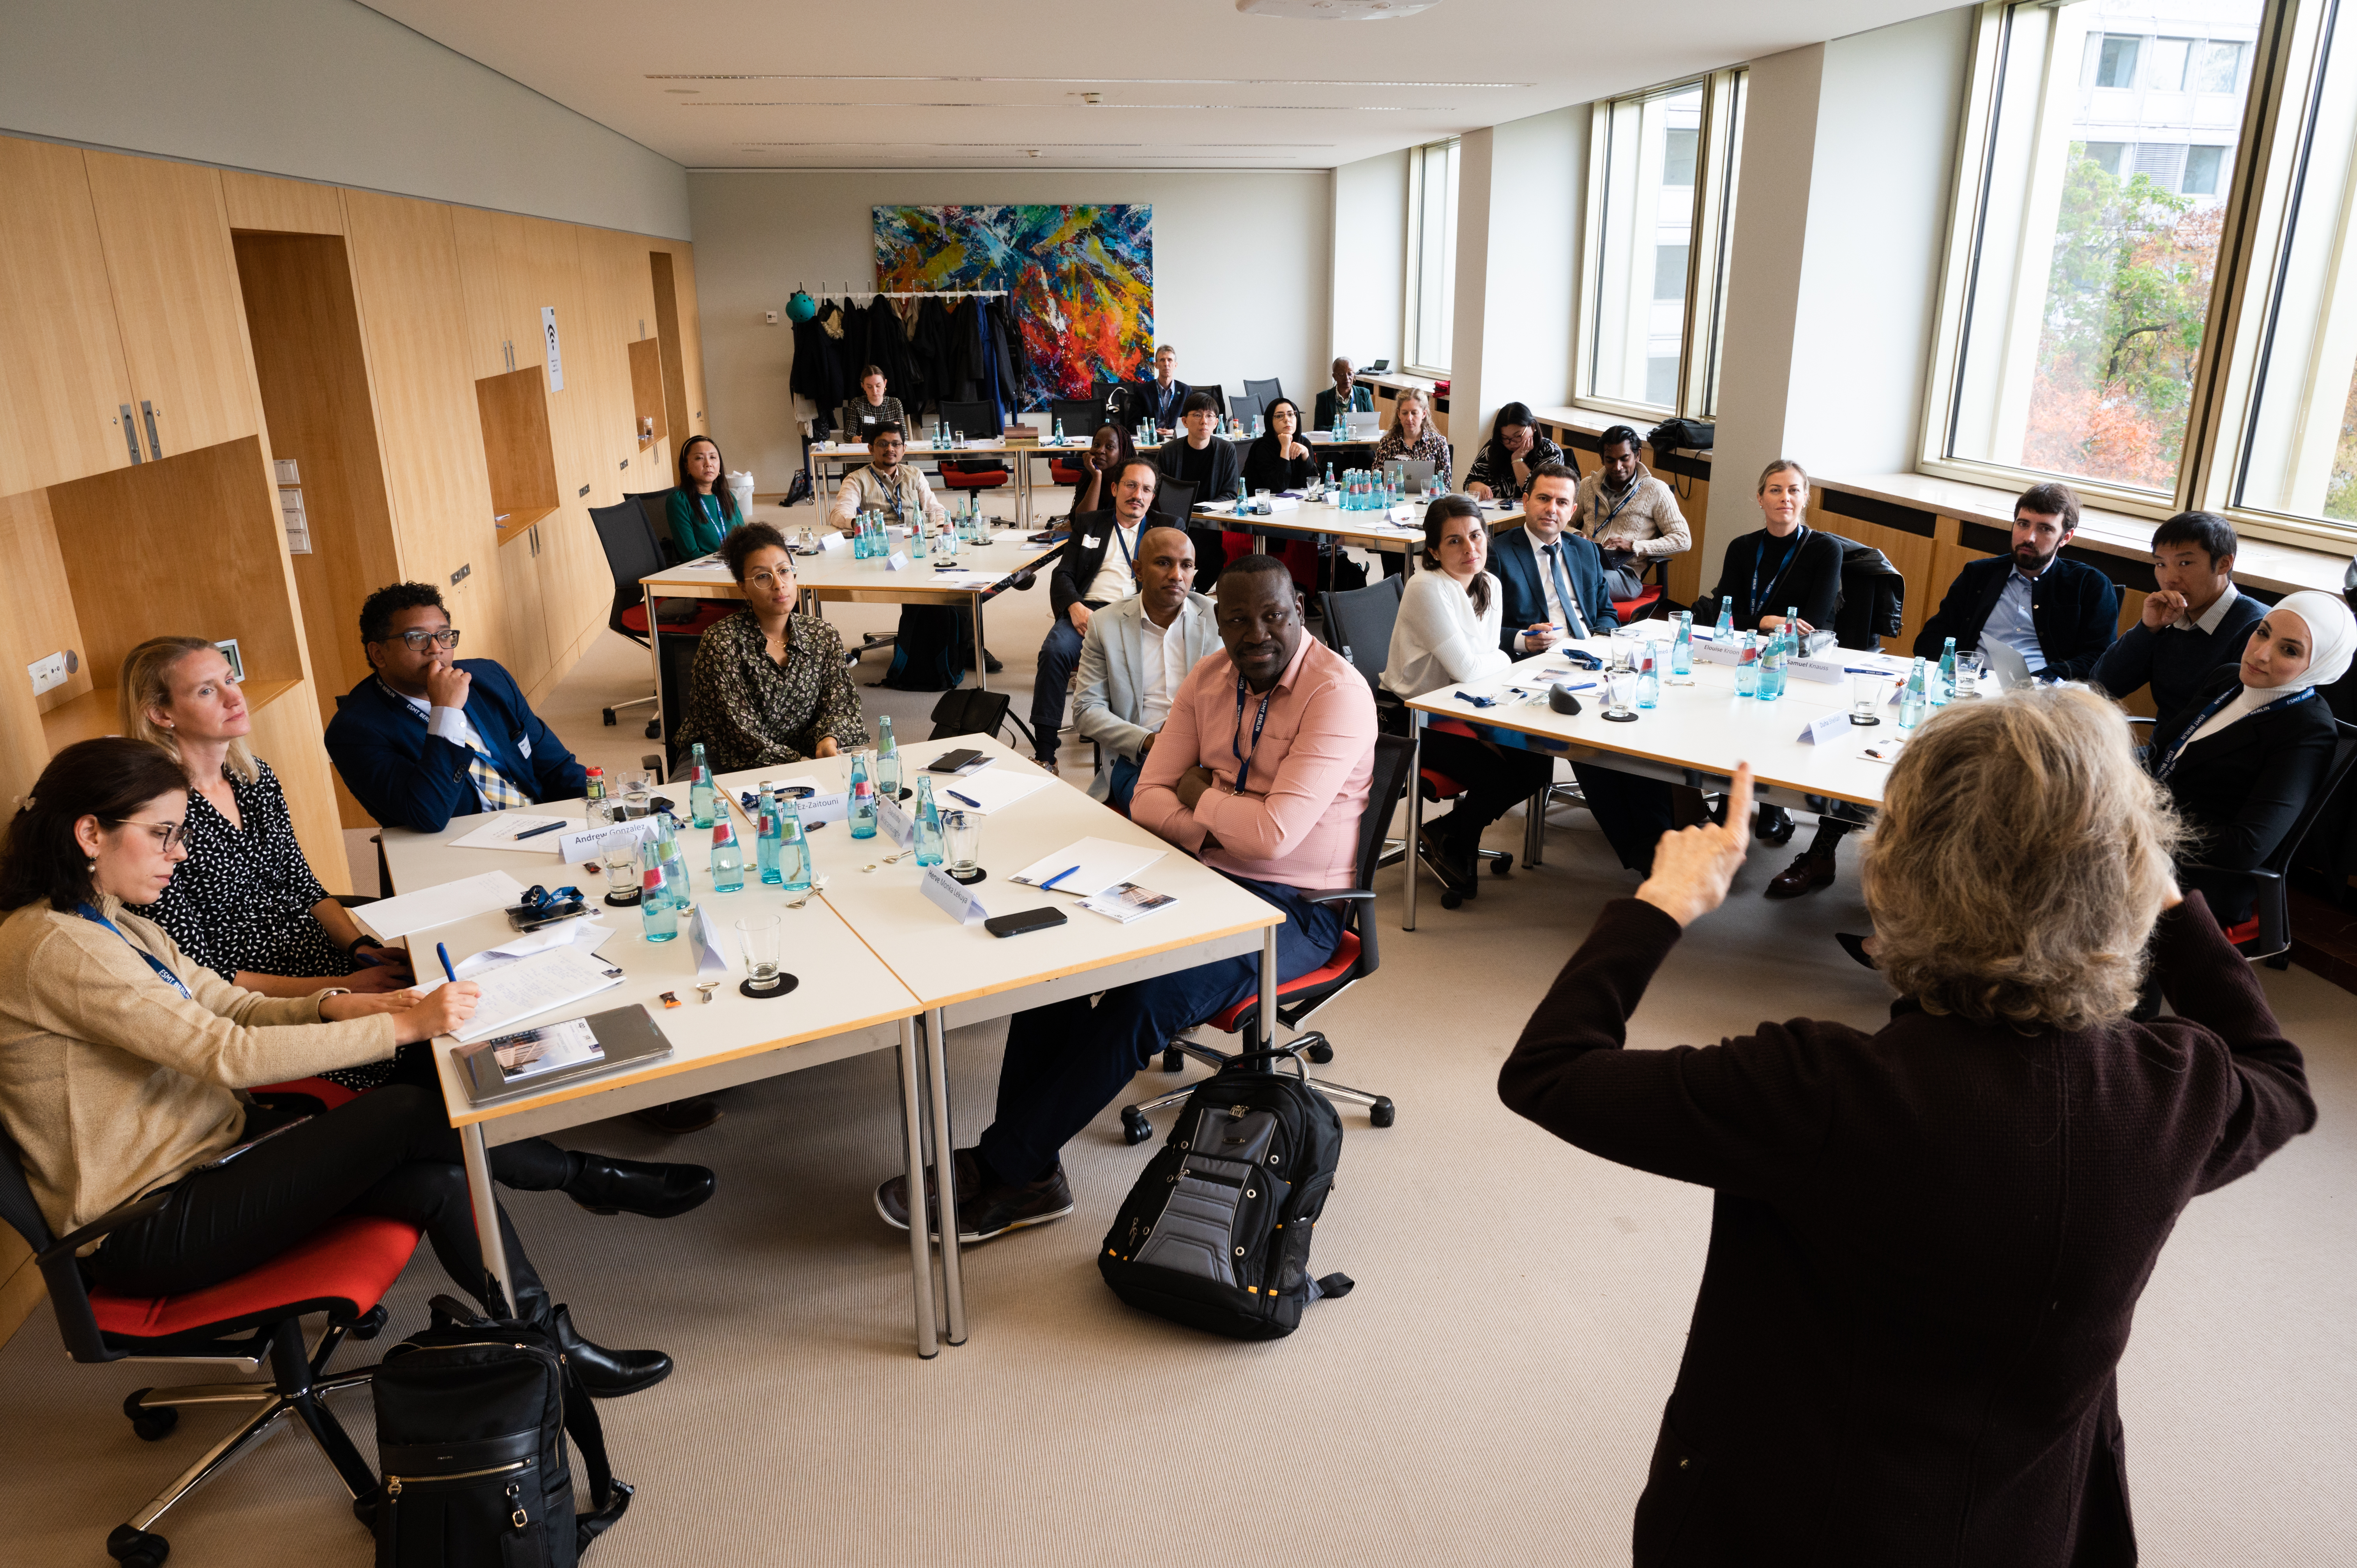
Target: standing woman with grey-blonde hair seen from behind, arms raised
x=1929, y=1239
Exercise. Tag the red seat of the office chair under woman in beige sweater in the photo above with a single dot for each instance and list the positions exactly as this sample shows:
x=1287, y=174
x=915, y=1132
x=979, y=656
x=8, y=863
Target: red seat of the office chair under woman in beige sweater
x=343, y=1270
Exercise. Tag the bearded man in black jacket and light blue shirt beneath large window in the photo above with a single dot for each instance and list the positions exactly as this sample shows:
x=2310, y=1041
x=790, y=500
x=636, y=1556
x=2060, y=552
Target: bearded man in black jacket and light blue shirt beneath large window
x=2056, y=614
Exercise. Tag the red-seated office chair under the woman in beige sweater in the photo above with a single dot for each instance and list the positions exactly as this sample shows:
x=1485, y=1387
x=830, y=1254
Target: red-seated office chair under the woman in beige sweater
x=242, y=1324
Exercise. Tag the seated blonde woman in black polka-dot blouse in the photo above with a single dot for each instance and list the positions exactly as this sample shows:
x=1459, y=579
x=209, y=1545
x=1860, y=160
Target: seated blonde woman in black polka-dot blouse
x=246, y=902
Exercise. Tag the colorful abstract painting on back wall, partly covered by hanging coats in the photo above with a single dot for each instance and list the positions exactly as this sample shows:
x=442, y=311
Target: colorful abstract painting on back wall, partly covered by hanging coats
x=1083, y=282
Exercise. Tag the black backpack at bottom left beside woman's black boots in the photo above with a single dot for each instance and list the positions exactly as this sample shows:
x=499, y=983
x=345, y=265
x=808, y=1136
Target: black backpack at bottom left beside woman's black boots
x=473, y=1423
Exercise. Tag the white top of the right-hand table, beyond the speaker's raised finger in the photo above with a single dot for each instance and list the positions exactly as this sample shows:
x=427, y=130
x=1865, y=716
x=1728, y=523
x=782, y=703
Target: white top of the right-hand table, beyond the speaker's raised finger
x=1701, y=727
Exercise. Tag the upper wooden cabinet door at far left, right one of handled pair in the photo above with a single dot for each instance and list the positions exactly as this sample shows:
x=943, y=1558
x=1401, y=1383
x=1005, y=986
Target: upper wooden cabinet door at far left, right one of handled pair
x=176, y=282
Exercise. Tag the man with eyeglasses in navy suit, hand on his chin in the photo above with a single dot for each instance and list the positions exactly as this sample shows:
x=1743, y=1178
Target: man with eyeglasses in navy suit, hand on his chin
x=433, y=737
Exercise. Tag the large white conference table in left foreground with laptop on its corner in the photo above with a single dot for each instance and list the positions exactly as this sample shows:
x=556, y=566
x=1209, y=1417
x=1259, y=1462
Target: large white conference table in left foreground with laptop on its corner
x=880, y=966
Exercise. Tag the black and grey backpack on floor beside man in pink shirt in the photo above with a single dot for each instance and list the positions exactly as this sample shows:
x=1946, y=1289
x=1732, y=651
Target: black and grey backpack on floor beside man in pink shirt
x=1217, y=1232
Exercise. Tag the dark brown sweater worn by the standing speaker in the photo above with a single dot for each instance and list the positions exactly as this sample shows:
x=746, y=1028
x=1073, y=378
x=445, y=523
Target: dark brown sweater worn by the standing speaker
x=1924, y=1251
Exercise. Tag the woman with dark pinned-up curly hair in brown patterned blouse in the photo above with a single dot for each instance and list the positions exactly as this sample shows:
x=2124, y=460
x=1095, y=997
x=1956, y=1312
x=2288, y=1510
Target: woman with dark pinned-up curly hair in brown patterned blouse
x=770, y=685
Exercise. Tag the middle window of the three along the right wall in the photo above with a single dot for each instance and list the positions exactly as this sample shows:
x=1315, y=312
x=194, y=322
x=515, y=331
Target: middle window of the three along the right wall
x=1661, y=195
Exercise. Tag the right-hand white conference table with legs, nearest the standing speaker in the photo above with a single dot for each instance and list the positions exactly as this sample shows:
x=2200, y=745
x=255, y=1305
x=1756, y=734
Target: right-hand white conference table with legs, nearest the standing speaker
x=1701, y=730
